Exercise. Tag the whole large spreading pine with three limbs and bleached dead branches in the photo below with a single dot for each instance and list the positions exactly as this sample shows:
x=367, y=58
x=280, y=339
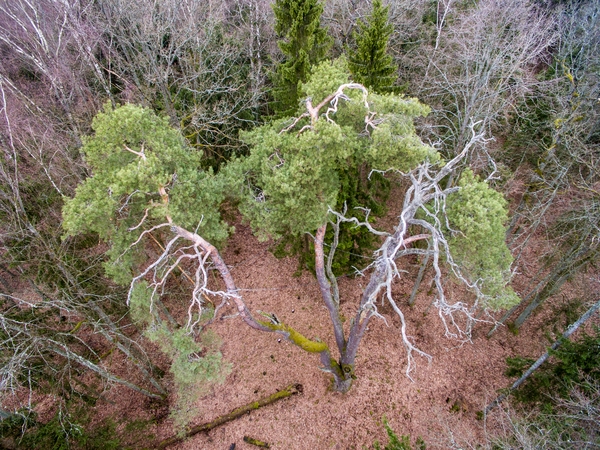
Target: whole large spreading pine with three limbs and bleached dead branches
x=148, y=189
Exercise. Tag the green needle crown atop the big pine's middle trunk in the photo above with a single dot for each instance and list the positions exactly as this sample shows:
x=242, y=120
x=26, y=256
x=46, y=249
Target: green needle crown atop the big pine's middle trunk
x=293, y=176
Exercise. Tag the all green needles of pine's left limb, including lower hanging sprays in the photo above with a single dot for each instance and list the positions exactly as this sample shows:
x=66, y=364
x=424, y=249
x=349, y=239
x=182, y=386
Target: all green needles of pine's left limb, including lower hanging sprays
x=144, y=179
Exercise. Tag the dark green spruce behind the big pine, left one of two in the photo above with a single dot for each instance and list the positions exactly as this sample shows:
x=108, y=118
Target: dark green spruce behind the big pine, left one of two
x=304, y=43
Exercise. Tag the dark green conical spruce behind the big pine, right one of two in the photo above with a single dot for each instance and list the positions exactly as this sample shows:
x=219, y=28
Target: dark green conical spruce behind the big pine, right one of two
x=370, y=64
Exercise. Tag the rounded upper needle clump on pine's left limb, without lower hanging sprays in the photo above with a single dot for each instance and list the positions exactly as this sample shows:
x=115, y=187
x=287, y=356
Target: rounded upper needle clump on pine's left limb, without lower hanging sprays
x=133, y=156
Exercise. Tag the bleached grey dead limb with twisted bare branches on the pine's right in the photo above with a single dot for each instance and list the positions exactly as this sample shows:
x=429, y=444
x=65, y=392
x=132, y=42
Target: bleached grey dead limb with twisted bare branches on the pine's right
x=425, y=189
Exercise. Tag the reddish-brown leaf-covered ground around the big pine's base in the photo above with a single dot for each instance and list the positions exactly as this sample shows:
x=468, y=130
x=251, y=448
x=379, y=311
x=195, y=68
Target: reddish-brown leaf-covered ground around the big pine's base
x=439, y=404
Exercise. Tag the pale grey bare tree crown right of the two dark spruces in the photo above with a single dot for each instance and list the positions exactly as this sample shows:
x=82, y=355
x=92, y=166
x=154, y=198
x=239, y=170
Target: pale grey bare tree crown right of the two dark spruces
x=482, y=66
